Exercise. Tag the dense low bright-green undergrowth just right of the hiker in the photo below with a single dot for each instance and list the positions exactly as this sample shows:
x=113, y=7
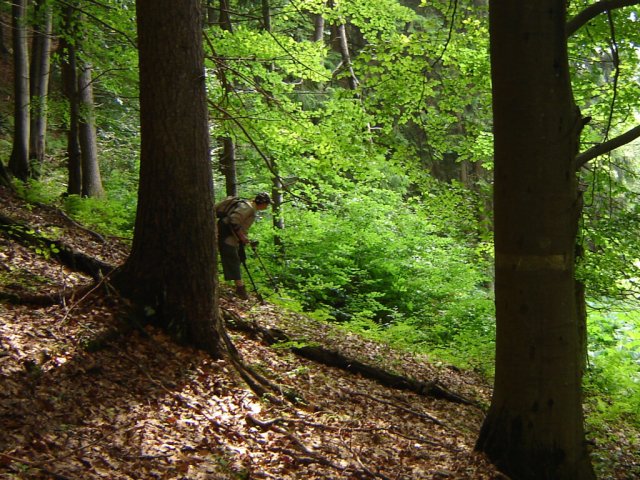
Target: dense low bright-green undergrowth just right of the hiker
x=403, y=271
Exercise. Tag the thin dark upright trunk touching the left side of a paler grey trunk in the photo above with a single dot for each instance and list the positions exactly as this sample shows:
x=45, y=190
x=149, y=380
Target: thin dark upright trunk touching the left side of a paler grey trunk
x=70, y=89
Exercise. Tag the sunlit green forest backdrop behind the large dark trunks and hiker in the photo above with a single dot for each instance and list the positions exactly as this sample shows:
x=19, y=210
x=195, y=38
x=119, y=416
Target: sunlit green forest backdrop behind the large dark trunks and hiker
x=378, y=148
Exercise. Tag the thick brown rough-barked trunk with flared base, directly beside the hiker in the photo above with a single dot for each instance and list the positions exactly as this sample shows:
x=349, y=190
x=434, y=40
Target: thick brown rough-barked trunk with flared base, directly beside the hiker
x=171, y=271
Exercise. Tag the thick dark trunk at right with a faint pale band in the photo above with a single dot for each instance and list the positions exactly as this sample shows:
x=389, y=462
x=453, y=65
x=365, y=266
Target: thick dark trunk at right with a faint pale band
x=534, y=428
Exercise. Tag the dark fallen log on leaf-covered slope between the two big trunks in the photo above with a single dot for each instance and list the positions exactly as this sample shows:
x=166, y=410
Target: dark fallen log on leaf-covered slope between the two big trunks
x=336, y=359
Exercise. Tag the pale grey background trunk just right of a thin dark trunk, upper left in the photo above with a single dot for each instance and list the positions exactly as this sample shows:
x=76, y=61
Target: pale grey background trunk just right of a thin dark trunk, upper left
x=91, y=180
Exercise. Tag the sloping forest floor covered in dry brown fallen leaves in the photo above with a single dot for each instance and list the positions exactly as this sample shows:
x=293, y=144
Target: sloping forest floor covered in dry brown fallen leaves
x=85, y=395
